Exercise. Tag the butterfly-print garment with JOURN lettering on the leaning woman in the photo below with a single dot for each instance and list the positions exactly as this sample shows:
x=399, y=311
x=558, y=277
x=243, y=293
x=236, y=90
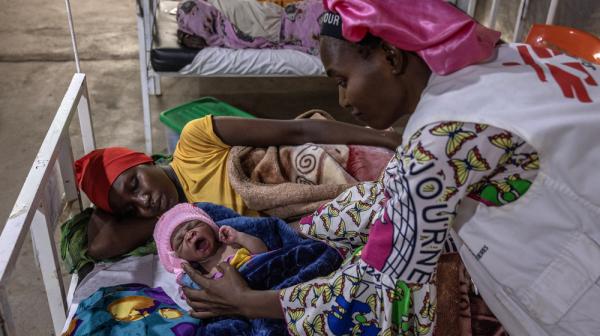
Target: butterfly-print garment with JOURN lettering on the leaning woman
x=392, y=231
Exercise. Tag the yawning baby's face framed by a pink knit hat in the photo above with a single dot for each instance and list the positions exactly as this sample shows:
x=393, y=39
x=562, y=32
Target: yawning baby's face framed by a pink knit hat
x=194, y=241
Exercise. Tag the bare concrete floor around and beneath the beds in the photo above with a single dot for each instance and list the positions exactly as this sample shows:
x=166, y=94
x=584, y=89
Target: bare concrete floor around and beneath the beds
x=36, y=67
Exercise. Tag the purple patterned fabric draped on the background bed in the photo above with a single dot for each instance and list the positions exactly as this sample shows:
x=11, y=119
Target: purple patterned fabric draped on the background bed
x=299, y=27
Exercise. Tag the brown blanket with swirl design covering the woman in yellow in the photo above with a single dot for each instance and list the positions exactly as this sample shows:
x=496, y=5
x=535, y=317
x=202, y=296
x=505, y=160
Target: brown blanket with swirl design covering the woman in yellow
x=293, y=181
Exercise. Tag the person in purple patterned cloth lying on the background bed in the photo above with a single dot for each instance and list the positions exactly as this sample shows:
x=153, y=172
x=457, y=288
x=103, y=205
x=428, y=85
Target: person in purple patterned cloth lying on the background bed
x=246, y=24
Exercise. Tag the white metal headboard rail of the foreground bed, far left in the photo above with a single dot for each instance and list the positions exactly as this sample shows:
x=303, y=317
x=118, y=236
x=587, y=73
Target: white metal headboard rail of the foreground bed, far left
x=48, y=185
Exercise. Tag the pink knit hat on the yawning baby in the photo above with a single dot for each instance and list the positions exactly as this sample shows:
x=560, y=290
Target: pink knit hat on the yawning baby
x=166, y=226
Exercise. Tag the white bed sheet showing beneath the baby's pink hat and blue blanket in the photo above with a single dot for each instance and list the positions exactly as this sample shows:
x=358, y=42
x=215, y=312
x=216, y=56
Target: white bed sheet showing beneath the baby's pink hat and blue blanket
x=145, y=270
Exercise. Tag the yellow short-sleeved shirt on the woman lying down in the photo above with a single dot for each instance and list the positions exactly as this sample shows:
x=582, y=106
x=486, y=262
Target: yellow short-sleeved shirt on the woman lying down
x=200, y=164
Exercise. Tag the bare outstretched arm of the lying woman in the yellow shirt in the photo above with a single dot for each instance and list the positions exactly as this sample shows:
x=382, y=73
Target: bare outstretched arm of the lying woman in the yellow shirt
x=267, y=132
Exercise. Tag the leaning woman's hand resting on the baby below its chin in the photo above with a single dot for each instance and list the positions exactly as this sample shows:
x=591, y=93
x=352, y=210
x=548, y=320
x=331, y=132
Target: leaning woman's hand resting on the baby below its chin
x=218, y=297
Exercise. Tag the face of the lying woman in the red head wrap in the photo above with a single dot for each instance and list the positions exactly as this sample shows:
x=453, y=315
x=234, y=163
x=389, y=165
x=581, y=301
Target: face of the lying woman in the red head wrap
x=142, y=191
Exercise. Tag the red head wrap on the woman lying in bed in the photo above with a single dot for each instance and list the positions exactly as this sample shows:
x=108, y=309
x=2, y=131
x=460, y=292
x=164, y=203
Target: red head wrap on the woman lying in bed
x=96, y=171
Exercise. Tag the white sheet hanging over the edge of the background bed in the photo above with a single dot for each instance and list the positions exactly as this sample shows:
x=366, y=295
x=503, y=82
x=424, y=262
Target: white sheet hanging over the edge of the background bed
x=256, y=62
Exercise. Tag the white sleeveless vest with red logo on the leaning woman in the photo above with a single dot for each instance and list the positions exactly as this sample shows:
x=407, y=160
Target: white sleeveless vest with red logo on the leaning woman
x=536, y=261
